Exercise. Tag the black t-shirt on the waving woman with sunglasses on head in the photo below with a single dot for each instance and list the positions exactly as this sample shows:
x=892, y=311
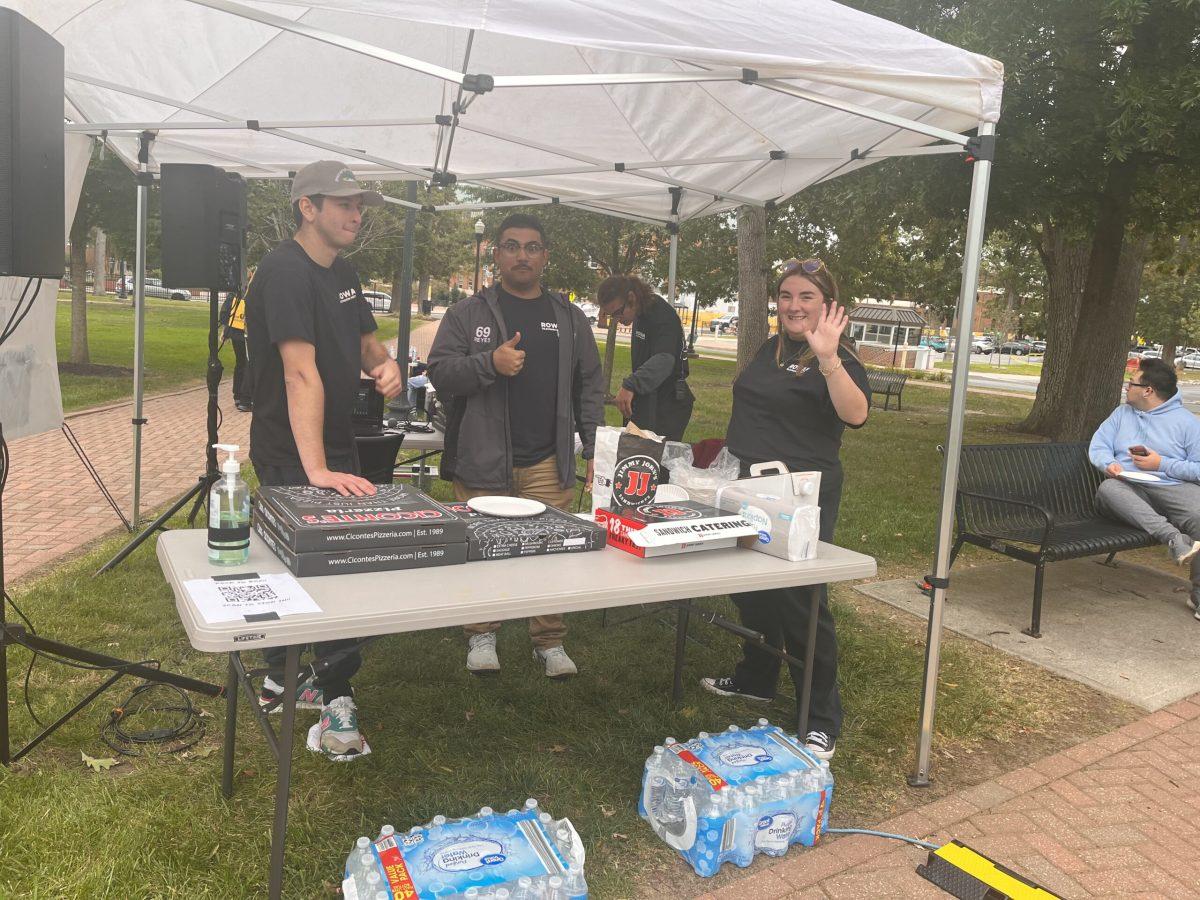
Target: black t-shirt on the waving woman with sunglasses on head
x=785, y=412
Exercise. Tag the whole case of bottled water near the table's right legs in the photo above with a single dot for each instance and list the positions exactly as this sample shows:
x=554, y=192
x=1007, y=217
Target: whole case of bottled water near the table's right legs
x=725, y=797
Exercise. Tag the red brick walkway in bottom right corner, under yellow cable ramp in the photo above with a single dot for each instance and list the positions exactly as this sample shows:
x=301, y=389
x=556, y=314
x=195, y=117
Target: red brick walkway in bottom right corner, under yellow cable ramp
x=1114, y=817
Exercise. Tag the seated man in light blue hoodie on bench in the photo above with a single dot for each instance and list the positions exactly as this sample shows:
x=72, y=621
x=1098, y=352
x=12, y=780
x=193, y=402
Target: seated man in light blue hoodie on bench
x=1154, y=434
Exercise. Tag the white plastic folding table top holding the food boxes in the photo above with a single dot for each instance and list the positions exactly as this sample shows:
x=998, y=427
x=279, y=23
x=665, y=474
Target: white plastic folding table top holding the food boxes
x=485, y=591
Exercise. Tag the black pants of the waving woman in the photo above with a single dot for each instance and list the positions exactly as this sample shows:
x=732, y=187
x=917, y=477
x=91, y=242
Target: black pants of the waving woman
x=782, y=616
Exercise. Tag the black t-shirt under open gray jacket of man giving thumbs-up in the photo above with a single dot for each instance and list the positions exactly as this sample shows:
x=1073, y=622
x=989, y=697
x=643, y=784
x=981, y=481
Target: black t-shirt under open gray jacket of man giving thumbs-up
x=533, y=392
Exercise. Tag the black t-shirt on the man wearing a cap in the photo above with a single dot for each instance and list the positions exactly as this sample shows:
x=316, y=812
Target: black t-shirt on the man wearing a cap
x=293, y=298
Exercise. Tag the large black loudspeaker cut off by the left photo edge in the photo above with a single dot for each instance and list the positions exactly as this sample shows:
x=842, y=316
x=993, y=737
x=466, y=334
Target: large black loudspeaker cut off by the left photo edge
x=33, y=232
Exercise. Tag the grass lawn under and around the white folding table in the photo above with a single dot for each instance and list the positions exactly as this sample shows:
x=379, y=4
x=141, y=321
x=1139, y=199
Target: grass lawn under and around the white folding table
x=448, y=743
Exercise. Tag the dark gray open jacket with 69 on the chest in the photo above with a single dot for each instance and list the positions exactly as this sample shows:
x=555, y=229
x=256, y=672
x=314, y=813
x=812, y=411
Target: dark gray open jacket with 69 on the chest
x=478, y=445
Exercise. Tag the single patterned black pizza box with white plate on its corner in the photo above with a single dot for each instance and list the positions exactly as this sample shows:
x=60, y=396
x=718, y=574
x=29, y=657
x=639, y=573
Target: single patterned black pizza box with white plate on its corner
x=550, y=532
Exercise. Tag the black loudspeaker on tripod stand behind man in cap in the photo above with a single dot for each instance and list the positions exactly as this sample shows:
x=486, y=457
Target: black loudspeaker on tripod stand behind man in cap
x=203, y=227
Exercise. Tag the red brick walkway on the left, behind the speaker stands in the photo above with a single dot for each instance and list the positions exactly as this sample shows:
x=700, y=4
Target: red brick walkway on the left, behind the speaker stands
x=53, y=508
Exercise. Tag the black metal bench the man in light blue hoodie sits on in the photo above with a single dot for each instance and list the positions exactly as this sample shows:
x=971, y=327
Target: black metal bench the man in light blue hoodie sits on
x=1036, y=503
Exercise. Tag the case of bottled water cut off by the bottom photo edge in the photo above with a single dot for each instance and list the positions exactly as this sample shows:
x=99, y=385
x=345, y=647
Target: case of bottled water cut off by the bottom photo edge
x=520, y=855
